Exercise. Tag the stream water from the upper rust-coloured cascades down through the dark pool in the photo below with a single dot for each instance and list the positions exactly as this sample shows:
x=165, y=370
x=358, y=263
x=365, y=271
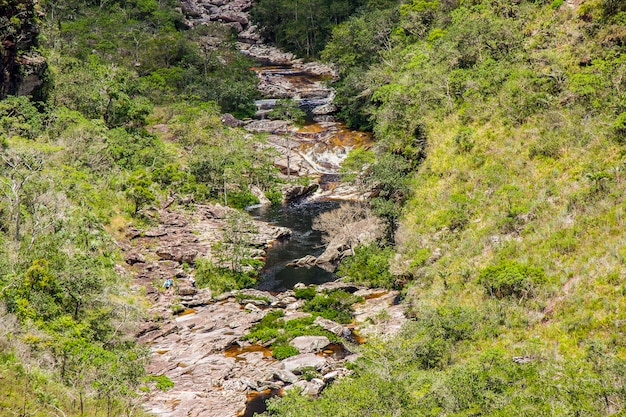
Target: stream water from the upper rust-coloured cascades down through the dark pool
x=323, y=145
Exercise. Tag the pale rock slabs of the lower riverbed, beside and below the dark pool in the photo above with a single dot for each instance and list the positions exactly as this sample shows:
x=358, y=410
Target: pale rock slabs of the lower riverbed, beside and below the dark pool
x=195, y=338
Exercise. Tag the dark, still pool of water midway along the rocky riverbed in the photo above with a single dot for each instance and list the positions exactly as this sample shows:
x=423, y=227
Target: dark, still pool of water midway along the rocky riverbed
x=276, y=276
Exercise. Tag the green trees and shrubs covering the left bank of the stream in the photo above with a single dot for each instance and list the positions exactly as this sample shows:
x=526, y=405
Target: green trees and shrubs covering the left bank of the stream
x=127, y=119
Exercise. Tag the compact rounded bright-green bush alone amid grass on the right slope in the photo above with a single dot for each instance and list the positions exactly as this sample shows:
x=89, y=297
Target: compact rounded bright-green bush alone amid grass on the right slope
x=511, y=279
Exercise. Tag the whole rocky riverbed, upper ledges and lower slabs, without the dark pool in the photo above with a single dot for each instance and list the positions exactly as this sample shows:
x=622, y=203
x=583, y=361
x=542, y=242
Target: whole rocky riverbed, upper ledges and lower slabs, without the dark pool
x=196, y=338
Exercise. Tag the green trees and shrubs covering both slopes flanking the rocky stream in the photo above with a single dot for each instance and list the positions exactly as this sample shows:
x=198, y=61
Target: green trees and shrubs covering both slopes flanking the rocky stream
x=498, y=171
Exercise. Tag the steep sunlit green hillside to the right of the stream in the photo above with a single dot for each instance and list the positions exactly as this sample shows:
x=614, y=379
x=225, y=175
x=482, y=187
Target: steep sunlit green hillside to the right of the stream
x=512, y=243
